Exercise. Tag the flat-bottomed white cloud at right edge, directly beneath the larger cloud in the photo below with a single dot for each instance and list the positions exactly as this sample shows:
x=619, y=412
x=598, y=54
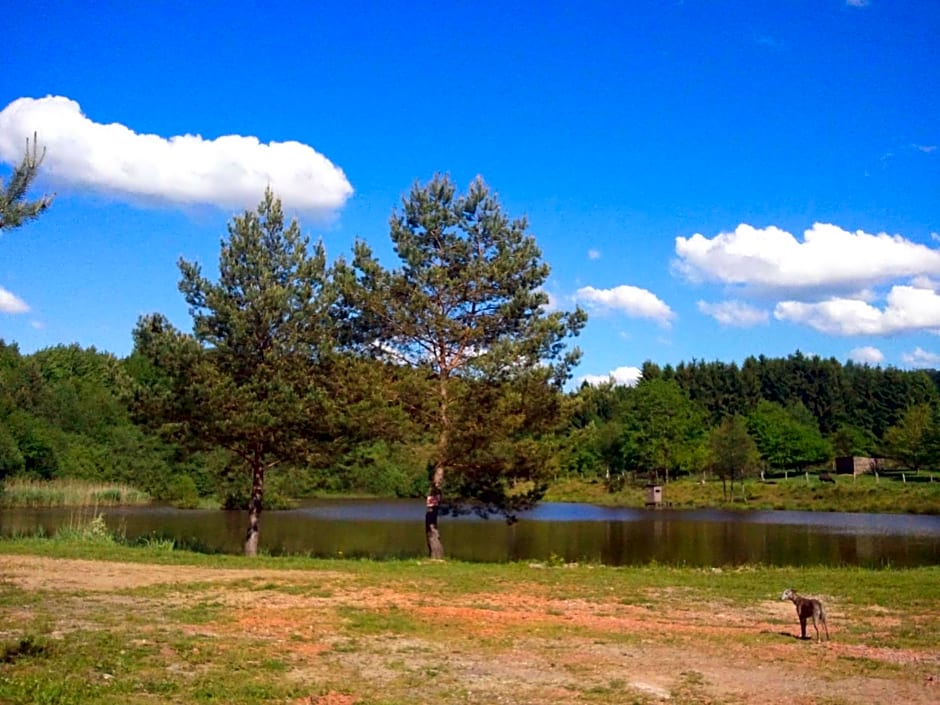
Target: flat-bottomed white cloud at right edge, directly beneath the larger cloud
x=907, y=309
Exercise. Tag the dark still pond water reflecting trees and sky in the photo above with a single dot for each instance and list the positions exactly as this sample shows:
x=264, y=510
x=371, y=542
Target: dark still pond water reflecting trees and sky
x=573, y=532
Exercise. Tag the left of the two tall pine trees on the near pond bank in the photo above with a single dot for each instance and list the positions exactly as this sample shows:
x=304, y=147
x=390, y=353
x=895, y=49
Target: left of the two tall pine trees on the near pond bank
x=251, y=377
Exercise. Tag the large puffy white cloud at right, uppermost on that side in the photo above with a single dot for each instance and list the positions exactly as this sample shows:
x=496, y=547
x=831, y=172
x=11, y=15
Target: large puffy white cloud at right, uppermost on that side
x=828, y=258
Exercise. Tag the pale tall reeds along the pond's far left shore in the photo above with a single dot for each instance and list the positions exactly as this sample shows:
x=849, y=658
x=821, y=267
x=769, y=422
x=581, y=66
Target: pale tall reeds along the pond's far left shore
x=18, y=492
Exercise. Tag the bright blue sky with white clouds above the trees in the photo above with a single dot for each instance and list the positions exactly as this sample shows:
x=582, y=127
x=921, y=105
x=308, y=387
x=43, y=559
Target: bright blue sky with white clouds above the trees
x=709, y=179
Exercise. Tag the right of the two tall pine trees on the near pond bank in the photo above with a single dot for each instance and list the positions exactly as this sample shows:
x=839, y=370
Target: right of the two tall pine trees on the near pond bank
x=467, y=308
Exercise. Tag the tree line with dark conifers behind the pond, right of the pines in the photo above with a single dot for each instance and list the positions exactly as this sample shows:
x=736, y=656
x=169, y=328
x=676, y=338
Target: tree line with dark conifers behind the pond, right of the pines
x=768, y=414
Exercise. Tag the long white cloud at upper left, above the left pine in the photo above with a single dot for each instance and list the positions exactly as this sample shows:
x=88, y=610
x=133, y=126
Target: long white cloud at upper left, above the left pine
x=230, y=171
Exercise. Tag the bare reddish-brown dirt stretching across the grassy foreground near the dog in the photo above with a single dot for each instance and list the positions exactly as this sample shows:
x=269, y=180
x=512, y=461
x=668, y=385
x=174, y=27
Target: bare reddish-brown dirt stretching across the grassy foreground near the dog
x=419, y=647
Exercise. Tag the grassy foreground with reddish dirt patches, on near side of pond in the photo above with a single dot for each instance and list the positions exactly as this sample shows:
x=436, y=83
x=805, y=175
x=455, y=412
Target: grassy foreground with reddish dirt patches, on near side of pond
x=85, y=619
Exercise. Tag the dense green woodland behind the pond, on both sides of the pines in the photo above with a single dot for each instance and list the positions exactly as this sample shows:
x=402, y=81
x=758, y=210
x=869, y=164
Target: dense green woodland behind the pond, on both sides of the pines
x=72, y=412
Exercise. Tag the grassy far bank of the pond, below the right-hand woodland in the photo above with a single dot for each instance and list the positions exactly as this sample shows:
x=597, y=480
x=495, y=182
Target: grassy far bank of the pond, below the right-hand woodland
x=917, y=495
